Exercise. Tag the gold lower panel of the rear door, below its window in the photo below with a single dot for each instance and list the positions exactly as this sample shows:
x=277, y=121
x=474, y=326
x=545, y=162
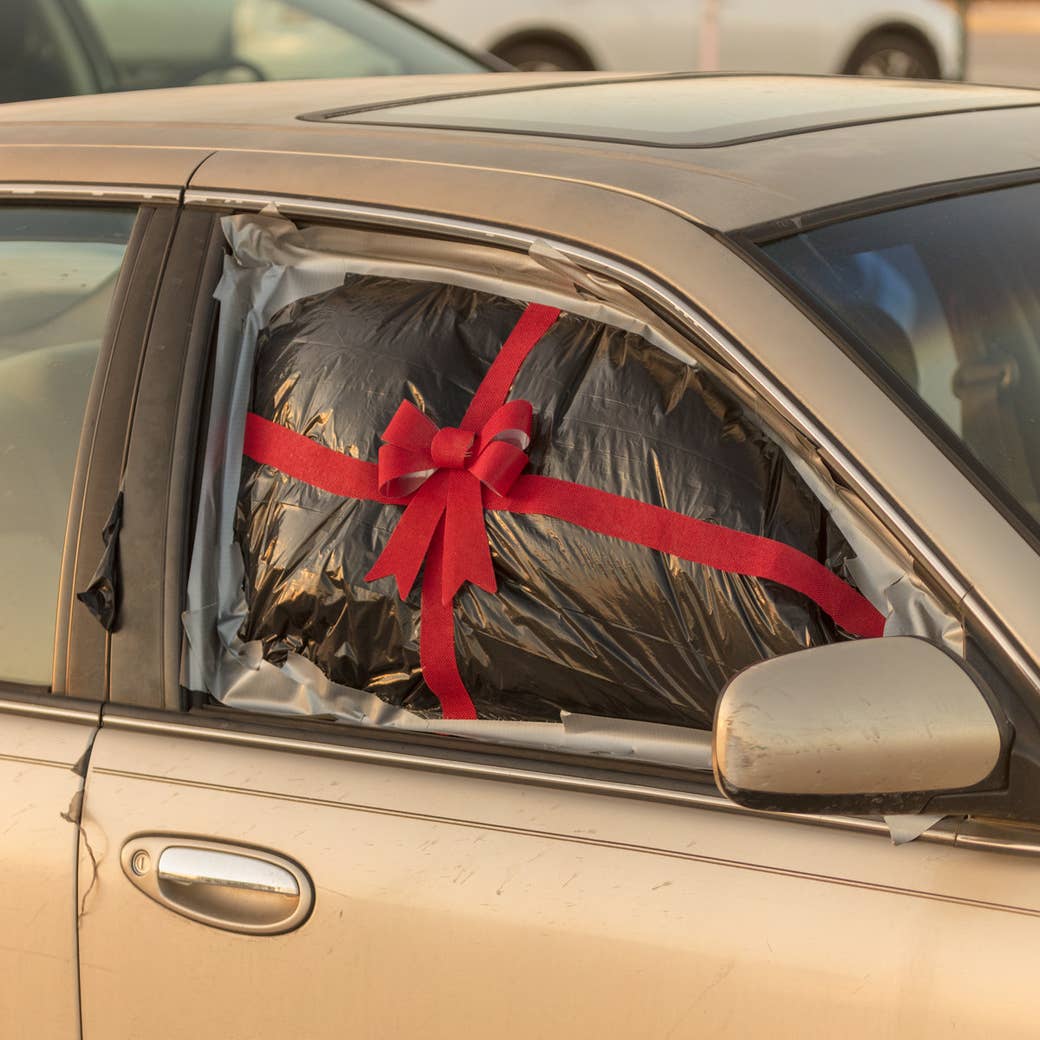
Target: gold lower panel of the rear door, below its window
x=41, y=747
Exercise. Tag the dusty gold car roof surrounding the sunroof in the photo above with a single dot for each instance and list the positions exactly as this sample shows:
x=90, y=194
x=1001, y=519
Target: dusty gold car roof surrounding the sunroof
x=722, y=188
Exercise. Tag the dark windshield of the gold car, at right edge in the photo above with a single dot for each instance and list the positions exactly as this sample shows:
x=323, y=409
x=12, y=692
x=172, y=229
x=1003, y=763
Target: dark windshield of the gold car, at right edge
x=946, y=297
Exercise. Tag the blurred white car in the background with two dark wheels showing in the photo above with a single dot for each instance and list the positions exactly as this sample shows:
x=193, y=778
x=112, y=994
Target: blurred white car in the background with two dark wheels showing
x=913, y=39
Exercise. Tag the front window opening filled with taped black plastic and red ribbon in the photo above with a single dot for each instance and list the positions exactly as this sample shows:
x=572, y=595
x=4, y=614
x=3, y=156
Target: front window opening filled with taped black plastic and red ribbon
x=365, y=384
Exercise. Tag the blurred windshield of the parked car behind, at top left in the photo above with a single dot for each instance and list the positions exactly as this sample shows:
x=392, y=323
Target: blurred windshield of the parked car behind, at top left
x=155, y=43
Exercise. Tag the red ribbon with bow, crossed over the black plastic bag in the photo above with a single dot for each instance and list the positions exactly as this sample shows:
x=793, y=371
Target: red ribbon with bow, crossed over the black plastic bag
x=447, y=479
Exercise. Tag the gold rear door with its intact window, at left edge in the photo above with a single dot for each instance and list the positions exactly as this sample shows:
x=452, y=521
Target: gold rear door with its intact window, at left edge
x=72, y=278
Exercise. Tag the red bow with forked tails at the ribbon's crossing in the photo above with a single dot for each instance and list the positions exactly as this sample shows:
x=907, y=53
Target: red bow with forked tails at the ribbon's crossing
x=443, y=475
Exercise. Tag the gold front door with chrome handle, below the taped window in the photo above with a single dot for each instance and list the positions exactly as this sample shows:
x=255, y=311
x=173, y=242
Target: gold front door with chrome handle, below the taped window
x=249, y=876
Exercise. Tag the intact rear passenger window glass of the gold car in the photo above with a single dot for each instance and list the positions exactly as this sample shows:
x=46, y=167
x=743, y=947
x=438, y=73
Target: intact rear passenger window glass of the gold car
x=59, y=268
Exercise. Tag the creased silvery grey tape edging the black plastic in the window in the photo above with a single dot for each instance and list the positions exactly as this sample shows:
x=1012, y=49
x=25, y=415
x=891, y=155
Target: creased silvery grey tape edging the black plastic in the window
x=274, y=264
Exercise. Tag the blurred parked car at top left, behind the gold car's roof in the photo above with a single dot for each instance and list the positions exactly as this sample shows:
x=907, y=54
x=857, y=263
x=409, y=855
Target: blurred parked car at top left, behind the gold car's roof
x=54, y=48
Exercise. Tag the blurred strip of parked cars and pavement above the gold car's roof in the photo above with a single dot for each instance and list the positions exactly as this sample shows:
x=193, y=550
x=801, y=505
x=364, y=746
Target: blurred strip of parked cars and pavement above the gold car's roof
x=51, y=48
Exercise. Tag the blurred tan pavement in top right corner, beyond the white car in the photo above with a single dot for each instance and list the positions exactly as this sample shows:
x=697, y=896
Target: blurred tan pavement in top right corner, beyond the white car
x=1004, y=43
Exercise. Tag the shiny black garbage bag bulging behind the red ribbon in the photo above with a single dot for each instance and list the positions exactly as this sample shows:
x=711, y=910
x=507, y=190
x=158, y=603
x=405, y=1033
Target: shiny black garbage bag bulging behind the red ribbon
x=581, y=621
